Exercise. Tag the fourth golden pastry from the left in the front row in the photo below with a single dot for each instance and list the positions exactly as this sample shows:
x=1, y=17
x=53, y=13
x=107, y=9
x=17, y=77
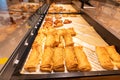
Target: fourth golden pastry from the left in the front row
x=70, y=59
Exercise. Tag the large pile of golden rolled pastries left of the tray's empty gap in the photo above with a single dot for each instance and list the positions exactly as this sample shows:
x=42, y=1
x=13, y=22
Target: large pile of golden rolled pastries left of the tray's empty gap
x=53, y=50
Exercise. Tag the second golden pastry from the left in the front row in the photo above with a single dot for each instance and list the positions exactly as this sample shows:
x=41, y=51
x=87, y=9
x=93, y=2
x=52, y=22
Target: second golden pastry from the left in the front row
x=46, y=63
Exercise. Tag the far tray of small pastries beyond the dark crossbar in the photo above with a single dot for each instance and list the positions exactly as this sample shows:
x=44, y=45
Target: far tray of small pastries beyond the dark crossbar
x=62, y=8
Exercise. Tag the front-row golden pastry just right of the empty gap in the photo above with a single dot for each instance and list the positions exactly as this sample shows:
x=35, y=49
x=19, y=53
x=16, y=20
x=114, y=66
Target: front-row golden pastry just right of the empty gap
x=104, y=58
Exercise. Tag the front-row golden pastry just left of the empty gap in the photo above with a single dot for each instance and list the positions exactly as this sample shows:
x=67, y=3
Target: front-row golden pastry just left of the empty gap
x=83, y=63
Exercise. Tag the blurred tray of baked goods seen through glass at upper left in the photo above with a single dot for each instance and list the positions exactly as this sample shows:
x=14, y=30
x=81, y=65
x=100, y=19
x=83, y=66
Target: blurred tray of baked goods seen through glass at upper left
x=25, y=7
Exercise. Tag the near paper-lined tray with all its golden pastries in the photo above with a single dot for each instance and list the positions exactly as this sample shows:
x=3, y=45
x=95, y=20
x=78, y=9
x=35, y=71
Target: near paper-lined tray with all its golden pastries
x=68, y=44
